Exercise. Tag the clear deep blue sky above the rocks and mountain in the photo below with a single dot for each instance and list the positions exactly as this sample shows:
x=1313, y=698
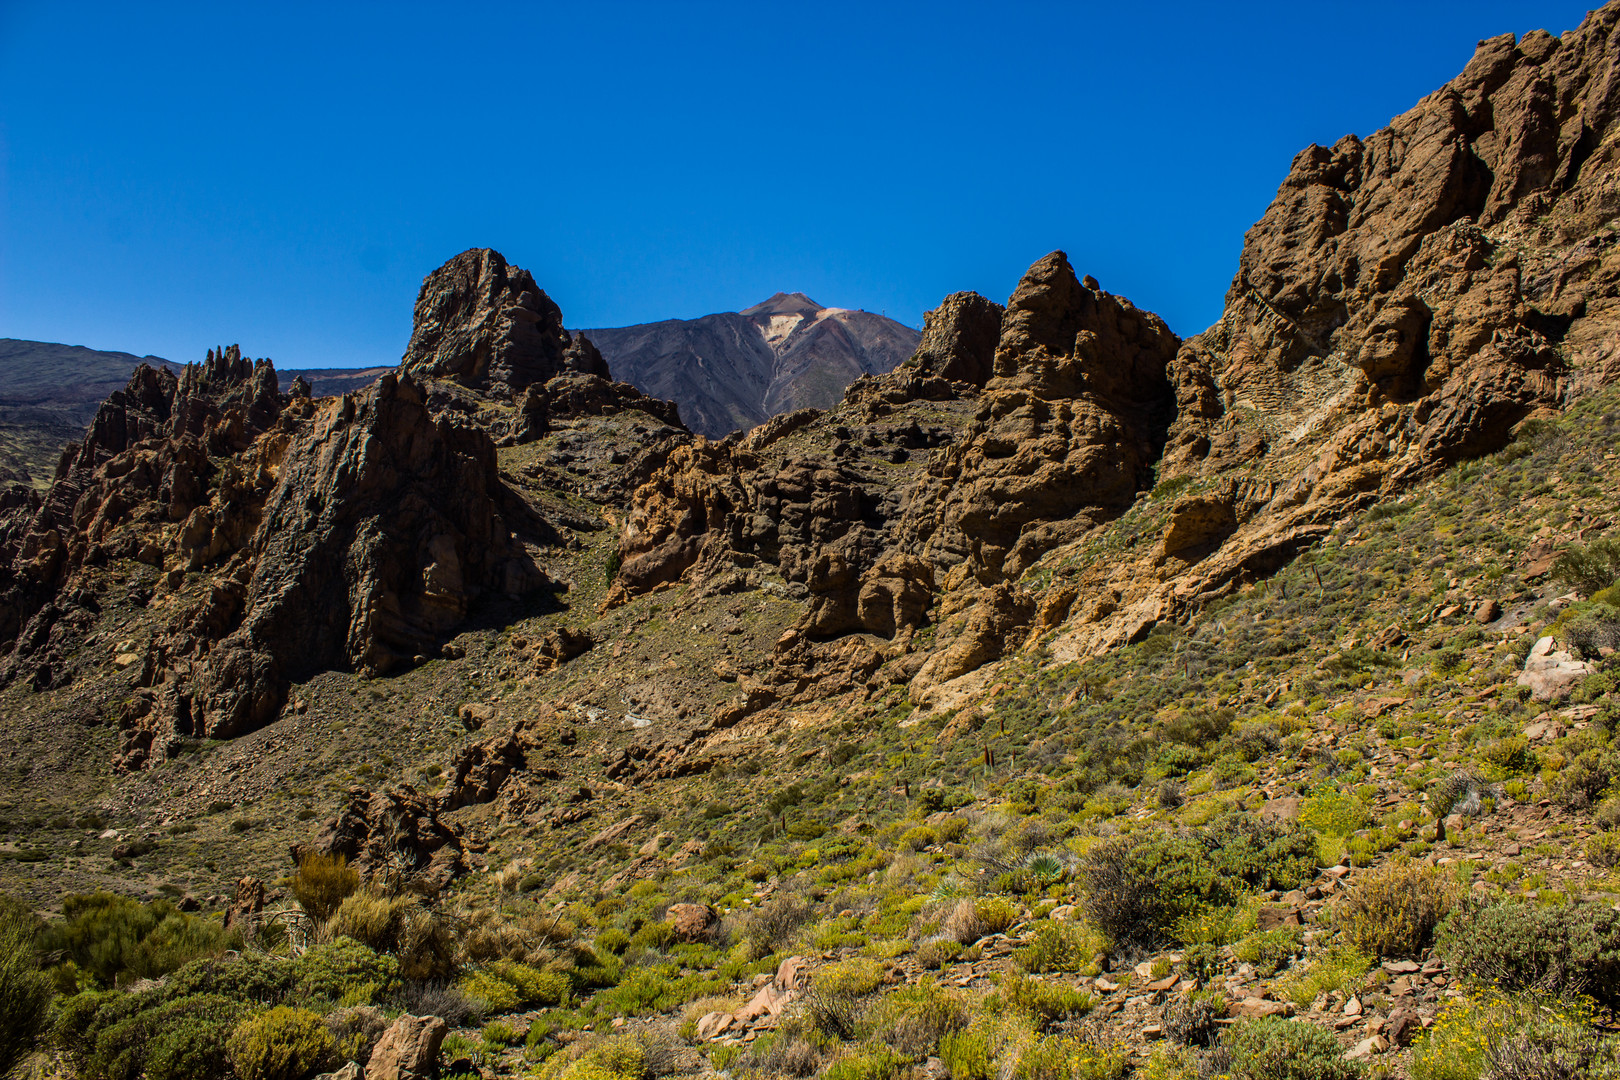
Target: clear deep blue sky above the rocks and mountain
x=182, y=176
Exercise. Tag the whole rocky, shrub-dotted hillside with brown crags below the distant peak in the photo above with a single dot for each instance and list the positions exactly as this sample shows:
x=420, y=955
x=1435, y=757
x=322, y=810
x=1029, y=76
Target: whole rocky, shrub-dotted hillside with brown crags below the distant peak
x=1072, y=700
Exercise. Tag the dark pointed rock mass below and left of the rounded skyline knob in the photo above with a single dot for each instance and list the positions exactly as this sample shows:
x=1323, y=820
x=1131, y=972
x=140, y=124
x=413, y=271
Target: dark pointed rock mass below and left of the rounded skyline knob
x=385, y=525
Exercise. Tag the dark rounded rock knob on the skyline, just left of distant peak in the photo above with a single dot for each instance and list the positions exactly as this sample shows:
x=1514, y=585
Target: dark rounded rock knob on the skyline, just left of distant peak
x=490, y=326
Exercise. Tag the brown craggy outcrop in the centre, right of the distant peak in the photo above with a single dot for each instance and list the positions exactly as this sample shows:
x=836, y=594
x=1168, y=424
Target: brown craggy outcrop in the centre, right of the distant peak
x=1060, y=425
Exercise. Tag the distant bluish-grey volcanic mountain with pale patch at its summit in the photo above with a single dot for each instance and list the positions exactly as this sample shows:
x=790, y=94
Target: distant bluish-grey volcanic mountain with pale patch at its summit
x=738, y=370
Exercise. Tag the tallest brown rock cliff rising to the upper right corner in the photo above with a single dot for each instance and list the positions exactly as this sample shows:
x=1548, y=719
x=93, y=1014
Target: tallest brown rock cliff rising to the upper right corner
x=1436, y=265
